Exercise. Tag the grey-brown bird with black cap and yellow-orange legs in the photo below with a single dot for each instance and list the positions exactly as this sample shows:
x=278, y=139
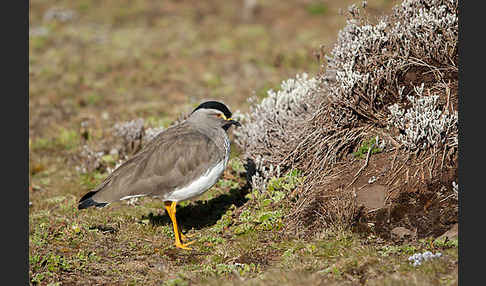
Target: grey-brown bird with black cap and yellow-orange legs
x=180, y=163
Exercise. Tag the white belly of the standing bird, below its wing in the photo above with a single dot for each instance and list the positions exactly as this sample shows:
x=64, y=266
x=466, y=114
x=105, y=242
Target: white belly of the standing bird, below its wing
x=199, y=186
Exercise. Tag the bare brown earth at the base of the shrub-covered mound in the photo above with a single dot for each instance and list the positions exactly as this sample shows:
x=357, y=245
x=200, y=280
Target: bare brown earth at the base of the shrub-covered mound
x=390, y=192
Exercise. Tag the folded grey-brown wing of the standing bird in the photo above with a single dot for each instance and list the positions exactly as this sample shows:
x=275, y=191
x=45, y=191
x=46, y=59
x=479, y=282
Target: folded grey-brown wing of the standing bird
x=170, y=161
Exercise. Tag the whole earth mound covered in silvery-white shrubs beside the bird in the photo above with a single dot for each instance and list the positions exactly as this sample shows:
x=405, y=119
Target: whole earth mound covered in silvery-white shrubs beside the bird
x=382, y=111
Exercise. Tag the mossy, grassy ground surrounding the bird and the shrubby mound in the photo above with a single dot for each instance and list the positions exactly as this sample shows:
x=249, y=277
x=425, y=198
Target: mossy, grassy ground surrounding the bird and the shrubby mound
x=94, y=64
